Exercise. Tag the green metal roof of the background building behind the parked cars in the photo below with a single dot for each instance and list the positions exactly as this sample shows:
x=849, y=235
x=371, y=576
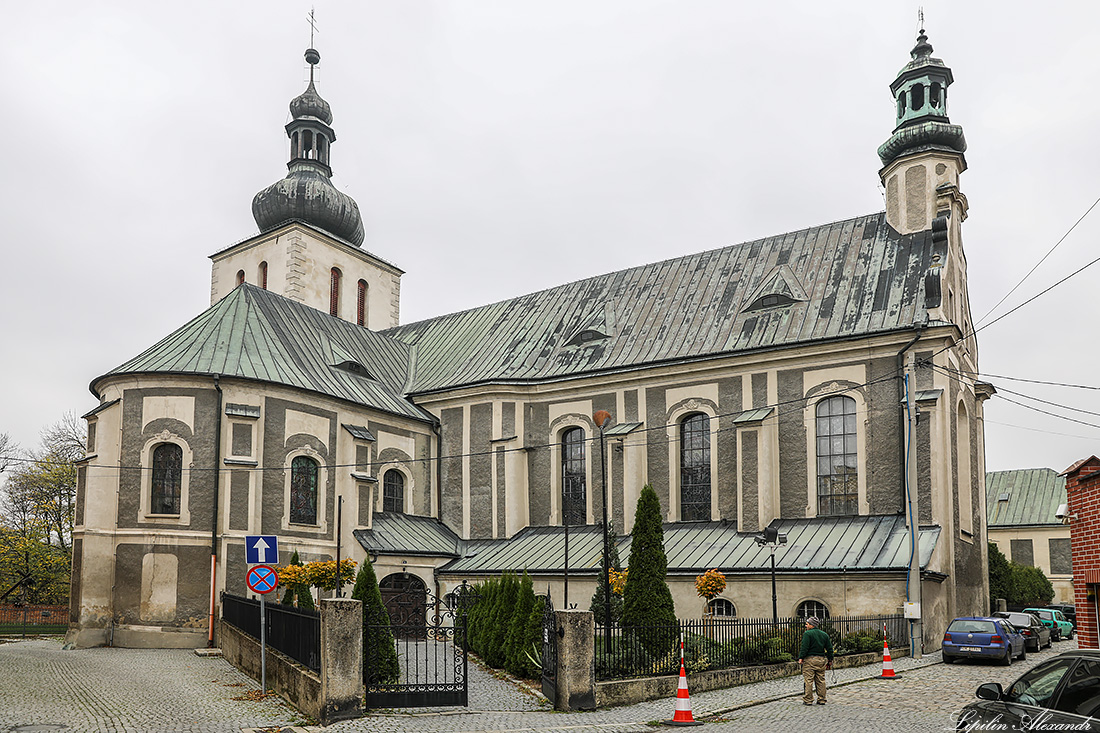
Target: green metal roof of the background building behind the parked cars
x=1032, y=497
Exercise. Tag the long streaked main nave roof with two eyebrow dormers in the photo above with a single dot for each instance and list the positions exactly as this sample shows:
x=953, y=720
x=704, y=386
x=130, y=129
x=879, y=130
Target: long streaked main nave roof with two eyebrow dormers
x=860, y=277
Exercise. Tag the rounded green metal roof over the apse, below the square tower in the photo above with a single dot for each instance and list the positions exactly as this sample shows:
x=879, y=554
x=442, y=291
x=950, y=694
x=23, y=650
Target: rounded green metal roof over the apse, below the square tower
x=257, y=335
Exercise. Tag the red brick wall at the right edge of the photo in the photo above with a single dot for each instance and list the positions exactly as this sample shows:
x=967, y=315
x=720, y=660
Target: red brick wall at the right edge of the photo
x=1083, y=493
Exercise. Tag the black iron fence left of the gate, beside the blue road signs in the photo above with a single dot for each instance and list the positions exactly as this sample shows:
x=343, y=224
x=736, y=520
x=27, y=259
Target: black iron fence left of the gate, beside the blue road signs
x=295, y=632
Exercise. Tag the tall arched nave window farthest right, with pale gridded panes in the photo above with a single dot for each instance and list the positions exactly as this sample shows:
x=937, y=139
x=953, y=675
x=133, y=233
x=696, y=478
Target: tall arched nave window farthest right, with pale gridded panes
x=838, y=460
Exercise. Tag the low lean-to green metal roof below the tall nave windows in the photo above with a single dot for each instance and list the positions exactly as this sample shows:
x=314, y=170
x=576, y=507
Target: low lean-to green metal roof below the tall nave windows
x=820, y=544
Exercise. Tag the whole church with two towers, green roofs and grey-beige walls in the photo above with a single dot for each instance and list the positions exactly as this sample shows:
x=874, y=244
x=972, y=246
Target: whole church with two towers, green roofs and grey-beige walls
x=760, y=386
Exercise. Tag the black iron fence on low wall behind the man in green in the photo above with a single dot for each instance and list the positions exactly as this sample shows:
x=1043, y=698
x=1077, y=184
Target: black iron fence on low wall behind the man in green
x=722, y=643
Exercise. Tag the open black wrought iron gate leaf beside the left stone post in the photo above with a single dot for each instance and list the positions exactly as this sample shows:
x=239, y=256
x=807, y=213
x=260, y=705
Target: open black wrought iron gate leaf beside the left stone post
x=430, y=640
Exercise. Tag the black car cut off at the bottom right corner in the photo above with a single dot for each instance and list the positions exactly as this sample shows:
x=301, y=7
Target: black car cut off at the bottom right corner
x=1062, y=694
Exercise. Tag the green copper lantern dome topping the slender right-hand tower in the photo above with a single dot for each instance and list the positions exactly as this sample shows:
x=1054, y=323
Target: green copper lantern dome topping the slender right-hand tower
x=920, y=92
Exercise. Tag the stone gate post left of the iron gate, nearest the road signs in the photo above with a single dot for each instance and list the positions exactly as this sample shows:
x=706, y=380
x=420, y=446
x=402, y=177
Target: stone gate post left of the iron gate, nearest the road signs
x=342, y=659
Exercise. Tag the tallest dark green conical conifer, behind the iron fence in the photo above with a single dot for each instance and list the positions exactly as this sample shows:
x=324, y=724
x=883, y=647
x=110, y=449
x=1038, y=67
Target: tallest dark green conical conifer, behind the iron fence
x=647, y=600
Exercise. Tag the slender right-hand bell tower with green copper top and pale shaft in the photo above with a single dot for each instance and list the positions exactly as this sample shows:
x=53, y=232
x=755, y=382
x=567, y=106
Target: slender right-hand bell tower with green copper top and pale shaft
x=923, y=159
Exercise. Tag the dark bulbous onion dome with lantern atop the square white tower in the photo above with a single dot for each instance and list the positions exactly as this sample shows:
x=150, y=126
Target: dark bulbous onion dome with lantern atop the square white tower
x=307, y=194
